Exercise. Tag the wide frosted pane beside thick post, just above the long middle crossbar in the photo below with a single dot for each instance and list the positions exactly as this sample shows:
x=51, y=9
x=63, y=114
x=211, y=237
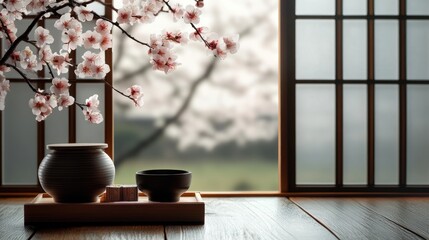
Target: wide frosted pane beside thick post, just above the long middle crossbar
x=315, y=49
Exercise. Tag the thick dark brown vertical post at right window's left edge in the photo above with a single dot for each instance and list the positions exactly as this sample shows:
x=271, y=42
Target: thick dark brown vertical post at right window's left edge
x=287, y=98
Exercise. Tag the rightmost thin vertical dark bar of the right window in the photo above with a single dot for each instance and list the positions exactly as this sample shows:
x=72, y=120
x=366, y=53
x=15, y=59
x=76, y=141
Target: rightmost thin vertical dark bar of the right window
x=402, y=95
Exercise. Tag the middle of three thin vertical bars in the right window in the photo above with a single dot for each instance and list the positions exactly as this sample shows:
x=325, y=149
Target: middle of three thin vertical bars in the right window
x=371, y=113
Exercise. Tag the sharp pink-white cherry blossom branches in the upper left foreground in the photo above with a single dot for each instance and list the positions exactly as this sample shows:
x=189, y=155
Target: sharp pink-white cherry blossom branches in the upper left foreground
x=95, y=41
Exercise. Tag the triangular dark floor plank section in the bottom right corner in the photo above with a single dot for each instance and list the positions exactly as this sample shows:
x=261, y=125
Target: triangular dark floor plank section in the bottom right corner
x=410, y=213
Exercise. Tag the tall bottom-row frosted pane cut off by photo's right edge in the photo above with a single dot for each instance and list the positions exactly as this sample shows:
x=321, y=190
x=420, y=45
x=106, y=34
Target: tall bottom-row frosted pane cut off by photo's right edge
x=417, y=134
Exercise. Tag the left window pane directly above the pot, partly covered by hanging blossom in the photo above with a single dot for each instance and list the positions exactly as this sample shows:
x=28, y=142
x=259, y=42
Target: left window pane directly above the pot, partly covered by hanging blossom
x=87, y=132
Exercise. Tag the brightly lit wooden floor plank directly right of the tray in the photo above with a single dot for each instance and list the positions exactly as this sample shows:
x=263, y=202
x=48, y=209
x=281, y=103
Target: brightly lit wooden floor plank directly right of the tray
x=251, y=218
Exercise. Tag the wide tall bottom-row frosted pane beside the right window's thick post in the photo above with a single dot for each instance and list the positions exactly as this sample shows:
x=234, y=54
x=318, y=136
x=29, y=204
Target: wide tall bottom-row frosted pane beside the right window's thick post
x=315, y=134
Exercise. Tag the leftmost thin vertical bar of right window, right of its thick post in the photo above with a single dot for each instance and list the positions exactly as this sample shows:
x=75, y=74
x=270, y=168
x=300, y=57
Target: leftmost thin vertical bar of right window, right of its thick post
x=339, y=95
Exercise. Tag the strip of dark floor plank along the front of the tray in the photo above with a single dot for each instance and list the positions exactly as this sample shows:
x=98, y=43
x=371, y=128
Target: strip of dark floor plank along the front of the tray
x=101, y=232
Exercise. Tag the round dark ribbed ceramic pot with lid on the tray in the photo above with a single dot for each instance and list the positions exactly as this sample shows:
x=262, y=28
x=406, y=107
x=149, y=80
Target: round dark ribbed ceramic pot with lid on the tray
x=76, y=172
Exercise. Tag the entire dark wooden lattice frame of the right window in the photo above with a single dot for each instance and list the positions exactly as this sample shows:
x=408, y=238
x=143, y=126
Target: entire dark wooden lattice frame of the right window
x=288, y=112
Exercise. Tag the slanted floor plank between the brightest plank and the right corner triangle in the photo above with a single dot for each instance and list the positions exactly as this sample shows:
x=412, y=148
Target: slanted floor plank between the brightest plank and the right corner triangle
x=348, y=219
